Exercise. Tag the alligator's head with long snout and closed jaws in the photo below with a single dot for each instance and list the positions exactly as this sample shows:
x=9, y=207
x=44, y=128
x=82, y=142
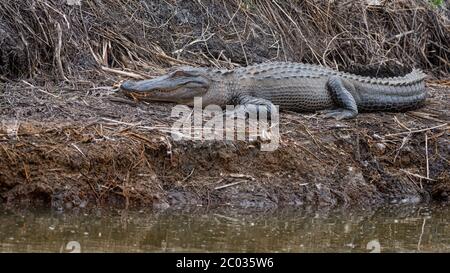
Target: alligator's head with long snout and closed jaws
x=179, y=86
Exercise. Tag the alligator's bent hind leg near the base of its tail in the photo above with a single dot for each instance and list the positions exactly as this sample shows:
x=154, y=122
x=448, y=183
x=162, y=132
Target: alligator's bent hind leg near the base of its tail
x=347, y=107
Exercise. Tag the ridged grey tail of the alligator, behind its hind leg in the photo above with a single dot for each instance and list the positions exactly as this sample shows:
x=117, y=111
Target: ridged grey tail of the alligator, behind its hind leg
x=391, y=94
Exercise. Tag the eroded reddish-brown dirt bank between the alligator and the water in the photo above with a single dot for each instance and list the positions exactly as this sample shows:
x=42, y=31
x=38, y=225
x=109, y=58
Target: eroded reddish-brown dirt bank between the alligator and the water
x=86, y=146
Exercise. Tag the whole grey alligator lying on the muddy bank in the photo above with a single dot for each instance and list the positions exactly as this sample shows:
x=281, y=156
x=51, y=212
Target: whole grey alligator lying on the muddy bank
x=295, y=87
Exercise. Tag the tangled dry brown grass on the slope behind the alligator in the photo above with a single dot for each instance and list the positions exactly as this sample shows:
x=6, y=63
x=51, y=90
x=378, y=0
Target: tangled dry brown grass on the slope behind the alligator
x=52, y=39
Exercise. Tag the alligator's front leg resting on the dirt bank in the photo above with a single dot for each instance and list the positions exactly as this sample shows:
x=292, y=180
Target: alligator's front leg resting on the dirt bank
x=248, y=106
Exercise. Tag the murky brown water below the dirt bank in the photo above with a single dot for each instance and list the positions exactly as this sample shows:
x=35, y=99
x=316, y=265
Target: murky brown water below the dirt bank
x=389, y=229
